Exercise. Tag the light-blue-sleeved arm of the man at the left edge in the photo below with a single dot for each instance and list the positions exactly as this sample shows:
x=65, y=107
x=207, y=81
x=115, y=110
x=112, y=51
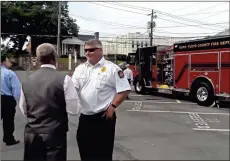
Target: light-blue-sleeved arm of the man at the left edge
x=16, y=86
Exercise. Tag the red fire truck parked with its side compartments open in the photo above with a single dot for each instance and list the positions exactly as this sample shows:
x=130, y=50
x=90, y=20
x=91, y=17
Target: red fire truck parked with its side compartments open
x=198, y=68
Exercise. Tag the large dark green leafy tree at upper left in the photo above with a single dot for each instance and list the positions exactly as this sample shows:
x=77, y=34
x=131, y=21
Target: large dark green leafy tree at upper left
x=19, y=19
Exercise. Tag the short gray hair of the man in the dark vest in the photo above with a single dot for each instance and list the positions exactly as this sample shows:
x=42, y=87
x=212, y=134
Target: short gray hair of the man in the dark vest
x=45, y=53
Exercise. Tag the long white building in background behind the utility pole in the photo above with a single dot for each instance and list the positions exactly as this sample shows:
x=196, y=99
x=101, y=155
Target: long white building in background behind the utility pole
x=126, y=43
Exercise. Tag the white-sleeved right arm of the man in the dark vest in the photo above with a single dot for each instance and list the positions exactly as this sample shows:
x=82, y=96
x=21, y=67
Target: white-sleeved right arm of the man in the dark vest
x=71, y=96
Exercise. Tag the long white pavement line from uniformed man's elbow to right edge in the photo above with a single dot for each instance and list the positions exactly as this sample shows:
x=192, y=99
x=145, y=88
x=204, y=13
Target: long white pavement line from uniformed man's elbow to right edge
x=179, y=112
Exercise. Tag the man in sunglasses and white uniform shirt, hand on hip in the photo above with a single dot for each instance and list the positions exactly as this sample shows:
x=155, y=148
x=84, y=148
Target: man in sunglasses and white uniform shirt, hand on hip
x=102, y=87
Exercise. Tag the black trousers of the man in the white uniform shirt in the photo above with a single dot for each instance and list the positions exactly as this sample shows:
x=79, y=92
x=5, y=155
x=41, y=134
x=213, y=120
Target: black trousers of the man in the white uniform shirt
x=95, y=137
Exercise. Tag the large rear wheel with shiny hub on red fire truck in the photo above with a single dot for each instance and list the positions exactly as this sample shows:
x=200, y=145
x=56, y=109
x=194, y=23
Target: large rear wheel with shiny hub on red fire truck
x=204, y=94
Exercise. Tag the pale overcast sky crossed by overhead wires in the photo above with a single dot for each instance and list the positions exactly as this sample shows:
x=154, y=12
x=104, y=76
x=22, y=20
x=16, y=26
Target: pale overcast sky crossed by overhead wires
x=99, y=16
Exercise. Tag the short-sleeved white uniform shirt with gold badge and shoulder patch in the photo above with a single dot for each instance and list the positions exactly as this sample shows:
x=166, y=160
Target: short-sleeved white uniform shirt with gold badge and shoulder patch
x=98, y=85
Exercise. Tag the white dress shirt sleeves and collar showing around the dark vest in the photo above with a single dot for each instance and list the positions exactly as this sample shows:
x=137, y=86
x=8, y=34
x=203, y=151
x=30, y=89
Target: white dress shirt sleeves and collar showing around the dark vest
x=71, y=96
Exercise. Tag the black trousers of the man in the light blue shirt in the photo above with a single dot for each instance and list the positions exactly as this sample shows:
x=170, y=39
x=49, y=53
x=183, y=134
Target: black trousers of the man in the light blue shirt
x=8, y=104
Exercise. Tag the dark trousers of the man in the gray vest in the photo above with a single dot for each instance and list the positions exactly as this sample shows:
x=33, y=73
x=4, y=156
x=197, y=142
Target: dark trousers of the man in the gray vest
x=45, y=147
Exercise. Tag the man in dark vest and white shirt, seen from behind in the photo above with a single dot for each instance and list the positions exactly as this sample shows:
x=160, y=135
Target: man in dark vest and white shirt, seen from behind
x=46, y=98
